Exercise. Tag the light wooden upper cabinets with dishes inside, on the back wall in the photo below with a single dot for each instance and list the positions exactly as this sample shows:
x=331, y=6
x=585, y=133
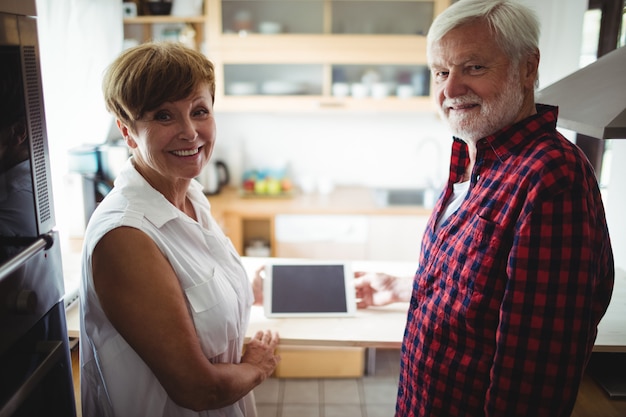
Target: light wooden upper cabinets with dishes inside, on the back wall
x=308, y=55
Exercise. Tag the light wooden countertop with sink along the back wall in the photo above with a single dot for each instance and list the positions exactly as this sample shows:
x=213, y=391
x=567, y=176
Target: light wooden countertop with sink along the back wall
x=343, y=200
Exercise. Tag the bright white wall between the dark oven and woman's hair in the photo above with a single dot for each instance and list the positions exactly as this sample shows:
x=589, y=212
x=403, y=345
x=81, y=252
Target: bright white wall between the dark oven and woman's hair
x=77, y=40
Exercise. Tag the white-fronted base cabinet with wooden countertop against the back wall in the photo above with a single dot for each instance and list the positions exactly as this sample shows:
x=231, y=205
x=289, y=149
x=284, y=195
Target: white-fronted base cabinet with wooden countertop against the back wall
x=348, y=223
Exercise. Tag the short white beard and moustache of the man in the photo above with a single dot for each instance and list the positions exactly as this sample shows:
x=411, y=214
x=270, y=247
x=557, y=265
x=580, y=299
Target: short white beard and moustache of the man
x=494, y=115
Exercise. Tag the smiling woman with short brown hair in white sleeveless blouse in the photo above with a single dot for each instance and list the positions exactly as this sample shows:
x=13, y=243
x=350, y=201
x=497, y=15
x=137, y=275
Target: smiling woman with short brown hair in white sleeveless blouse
x=165, y=300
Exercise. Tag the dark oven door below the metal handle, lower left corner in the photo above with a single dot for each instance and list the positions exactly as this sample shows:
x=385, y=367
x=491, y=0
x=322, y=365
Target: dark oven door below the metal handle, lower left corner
x=35, y=365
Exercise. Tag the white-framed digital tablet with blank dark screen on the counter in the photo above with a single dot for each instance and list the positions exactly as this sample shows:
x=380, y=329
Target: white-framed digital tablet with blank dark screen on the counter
x=308, y=289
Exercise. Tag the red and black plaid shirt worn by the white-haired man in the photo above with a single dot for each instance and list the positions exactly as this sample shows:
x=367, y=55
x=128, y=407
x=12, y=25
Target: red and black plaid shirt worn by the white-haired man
x=510, y=289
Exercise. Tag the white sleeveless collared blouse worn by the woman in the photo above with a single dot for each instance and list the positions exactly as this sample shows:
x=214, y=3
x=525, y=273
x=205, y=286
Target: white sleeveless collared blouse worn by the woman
x=114, y=379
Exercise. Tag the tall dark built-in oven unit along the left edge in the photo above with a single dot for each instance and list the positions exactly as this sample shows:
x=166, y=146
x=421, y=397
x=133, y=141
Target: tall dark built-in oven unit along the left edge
x=35, y=365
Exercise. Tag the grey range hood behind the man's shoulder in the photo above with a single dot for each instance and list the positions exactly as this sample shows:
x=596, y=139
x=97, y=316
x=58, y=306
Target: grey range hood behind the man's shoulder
x=592, y=100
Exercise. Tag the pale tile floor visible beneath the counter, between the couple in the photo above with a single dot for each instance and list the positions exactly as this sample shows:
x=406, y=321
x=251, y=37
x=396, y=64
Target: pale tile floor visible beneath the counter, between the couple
x=370, y=396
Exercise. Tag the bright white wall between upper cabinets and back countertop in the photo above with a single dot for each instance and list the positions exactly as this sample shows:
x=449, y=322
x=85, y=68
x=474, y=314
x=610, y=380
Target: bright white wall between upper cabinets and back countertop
x=370, y=149
